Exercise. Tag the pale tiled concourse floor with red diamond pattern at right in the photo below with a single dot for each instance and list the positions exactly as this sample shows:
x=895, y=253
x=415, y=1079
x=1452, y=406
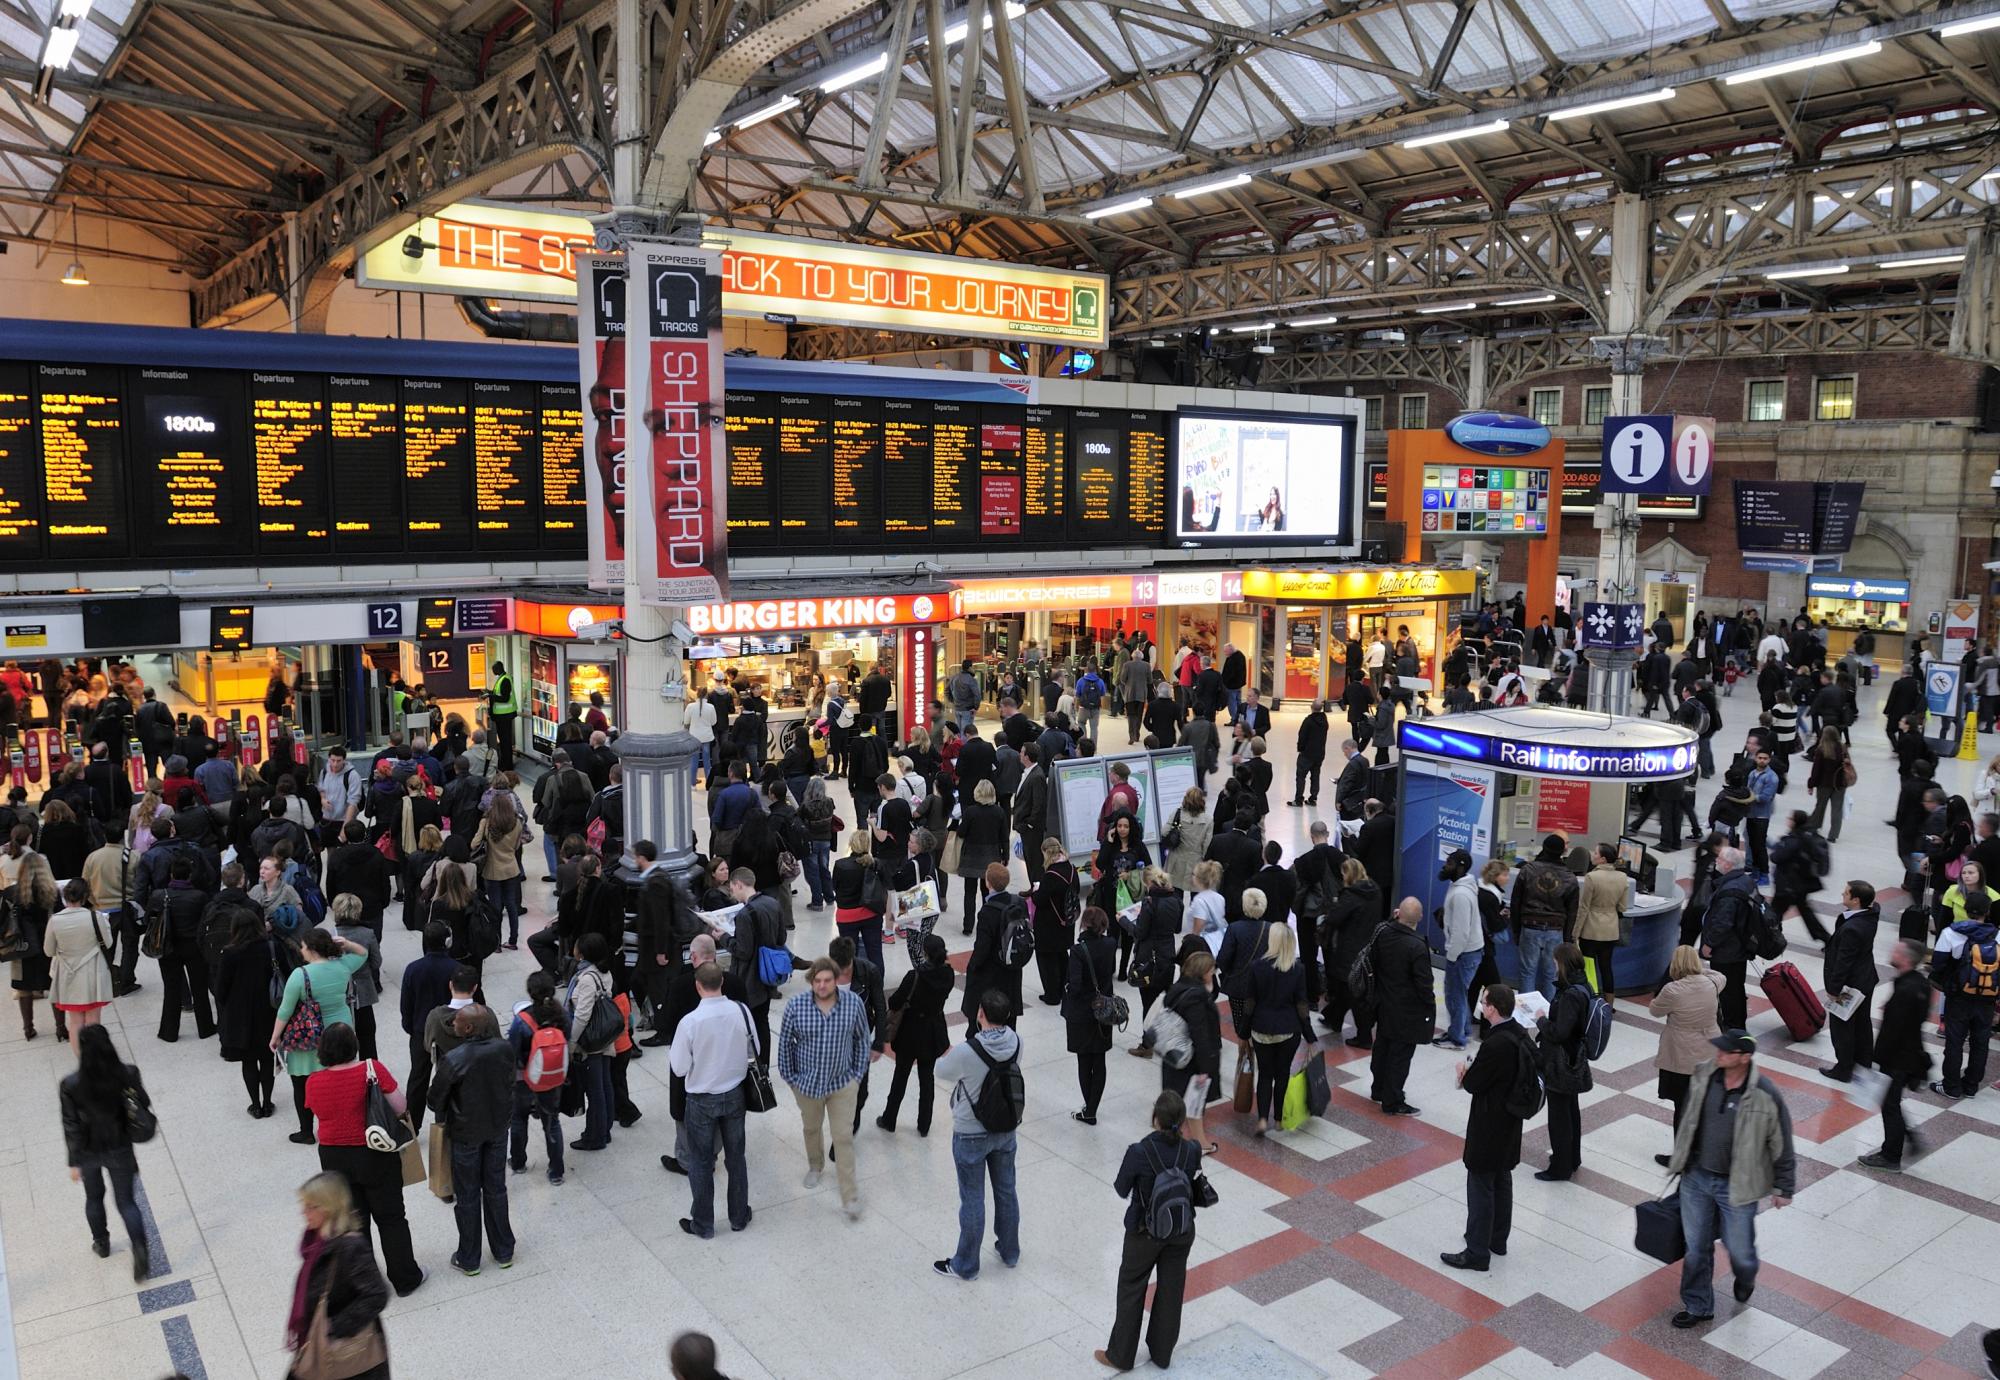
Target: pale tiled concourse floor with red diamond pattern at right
x=1321, y=1261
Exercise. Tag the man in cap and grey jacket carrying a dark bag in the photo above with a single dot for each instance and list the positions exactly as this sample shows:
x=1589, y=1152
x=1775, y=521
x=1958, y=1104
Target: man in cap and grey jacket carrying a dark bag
x=1733, y=1151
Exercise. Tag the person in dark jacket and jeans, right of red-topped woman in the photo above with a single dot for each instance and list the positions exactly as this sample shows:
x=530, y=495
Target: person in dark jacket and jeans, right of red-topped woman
x=473, y=1097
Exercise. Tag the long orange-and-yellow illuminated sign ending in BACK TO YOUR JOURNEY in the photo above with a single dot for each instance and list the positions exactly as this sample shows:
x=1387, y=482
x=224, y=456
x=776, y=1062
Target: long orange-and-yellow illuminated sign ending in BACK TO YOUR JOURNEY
x=487, y=249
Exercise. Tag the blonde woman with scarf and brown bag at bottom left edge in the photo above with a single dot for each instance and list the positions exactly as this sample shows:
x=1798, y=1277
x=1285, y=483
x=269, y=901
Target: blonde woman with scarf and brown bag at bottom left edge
x=339, y=1295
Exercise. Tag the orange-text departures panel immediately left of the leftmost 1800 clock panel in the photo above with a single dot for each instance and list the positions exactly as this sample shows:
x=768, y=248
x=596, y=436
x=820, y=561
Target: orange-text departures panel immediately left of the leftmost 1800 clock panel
x=81, y=409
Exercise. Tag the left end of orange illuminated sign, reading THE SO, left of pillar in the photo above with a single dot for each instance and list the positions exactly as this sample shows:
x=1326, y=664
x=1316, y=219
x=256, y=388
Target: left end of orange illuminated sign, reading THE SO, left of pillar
x=483, y=249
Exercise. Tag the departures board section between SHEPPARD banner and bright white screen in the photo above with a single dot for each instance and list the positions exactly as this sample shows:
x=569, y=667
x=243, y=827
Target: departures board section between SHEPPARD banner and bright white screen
x=829, y=471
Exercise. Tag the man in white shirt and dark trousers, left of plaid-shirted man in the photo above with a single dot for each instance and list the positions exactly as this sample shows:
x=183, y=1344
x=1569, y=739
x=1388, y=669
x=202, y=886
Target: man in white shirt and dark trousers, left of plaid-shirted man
x=711, y=1055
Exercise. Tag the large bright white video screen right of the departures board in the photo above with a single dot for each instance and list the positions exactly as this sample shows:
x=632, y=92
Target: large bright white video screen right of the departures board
x=1265, y=479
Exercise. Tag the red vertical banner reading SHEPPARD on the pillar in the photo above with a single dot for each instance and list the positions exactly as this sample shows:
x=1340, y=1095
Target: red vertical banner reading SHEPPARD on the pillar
x=675, y=369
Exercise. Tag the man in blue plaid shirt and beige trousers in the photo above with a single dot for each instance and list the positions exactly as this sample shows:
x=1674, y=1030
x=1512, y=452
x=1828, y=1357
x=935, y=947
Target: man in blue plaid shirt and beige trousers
x=823, y=1053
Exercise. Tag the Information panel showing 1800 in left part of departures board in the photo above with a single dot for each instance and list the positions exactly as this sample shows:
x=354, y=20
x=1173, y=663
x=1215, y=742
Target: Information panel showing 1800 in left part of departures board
x=189, y=461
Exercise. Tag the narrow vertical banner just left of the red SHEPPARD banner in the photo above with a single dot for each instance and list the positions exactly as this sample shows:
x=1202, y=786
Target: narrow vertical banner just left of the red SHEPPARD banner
x=603, y=353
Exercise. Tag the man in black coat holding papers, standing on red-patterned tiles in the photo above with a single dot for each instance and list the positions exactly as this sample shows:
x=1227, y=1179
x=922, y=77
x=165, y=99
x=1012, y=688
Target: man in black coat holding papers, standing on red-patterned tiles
x=1493, y=1131
